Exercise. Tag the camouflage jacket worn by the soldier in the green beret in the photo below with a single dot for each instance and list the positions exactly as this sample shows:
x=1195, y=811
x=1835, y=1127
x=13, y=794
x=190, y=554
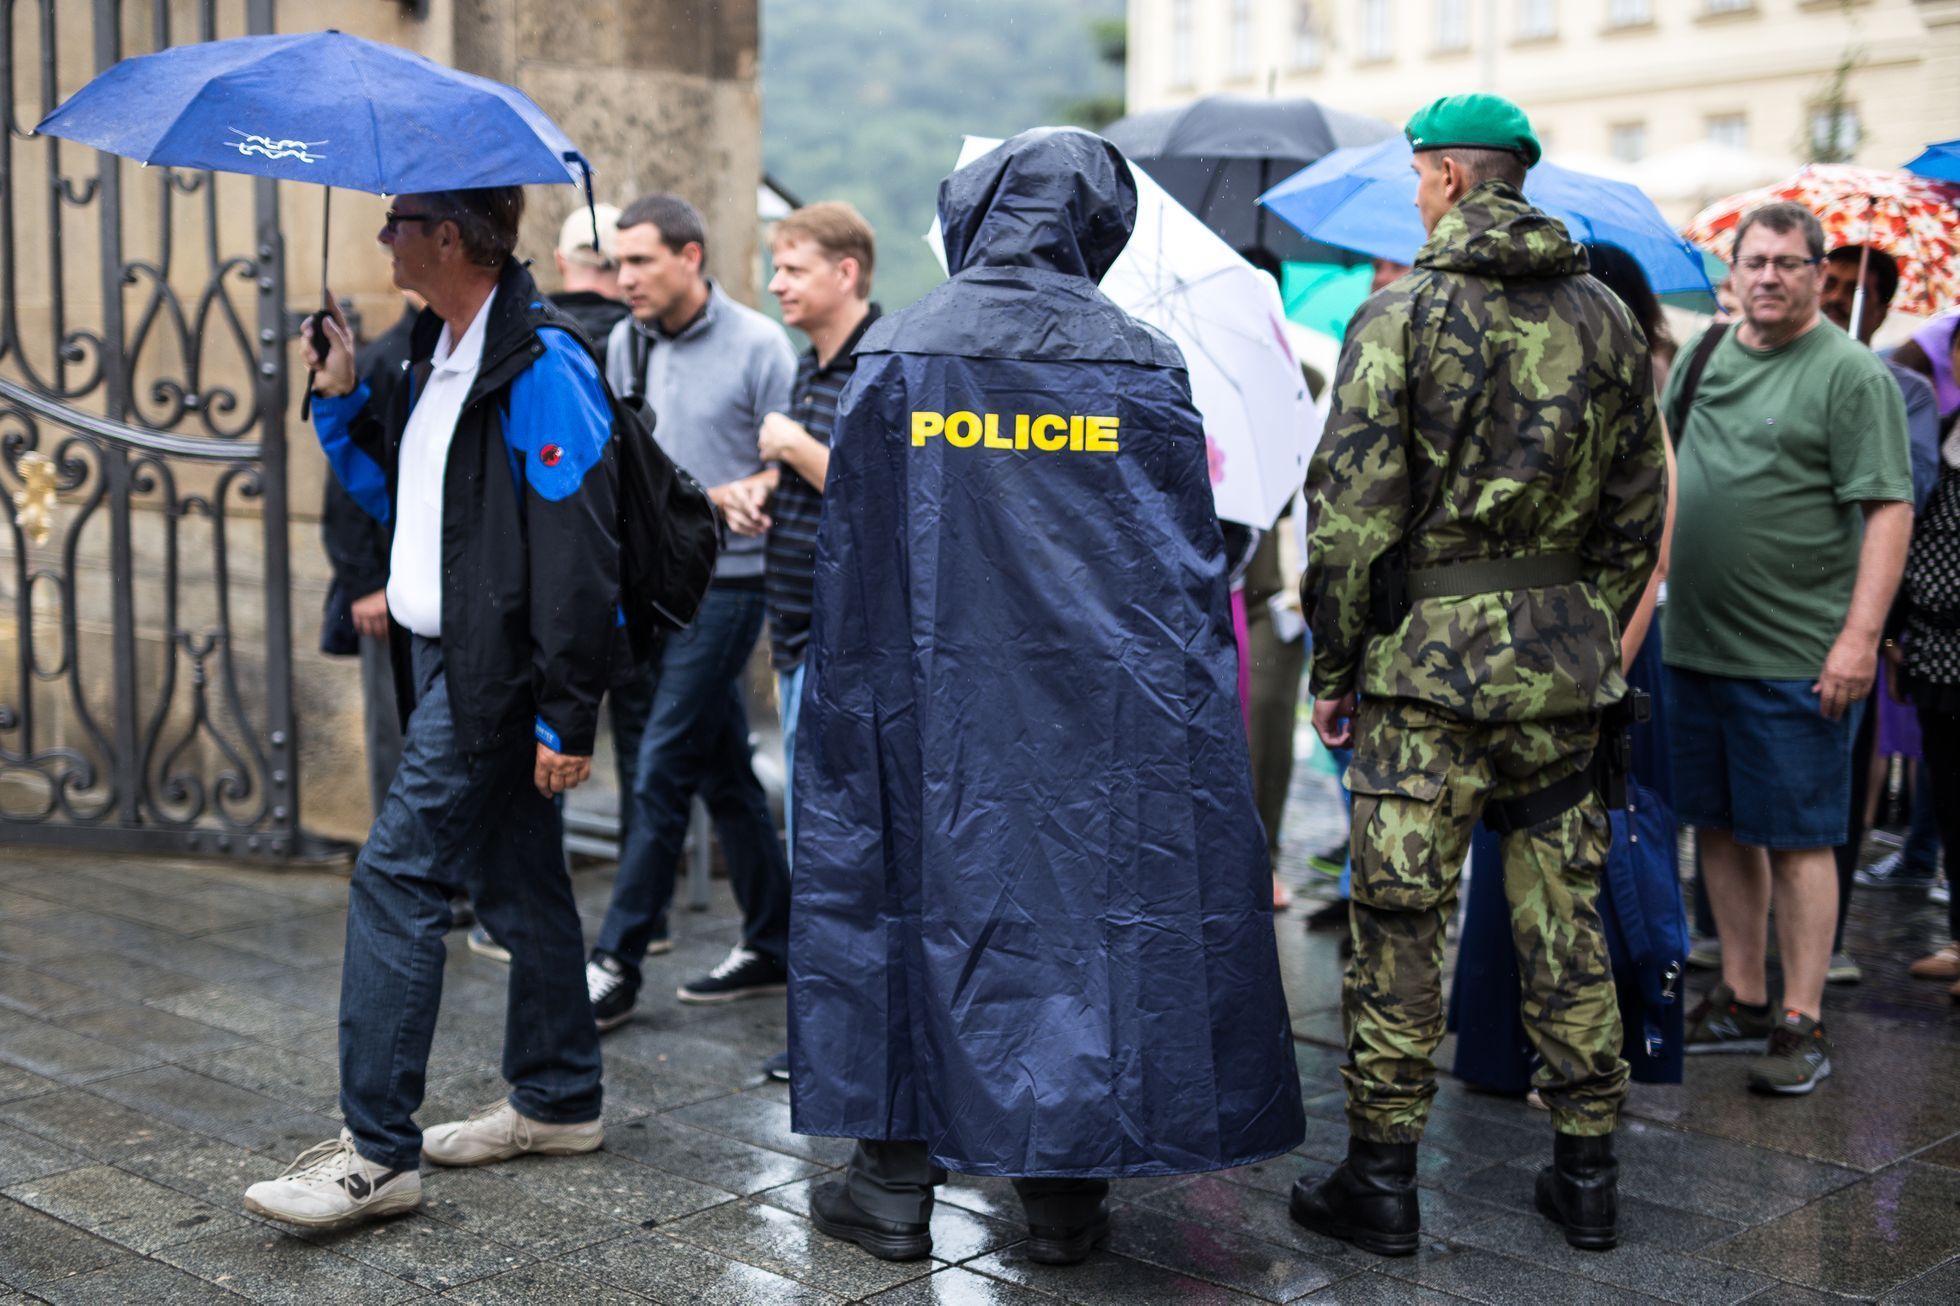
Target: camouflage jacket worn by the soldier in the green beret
x=1494, y=403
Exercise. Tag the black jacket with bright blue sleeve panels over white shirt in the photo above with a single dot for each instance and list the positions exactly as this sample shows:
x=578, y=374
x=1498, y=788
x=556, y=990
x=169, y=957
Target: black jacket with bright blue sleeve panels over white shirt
x=530, y=523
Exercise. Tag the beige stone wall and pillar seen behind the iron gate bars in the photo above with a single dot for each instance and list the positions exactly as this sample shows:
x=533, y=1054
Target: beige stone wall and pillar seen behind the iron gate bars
x=661, y=95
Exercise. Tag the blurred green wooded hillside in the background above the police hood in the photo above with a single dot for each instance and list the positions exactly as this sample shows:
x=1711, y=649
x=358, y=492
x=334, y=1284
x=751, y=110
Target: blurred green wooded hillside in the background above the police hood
x=867, y=101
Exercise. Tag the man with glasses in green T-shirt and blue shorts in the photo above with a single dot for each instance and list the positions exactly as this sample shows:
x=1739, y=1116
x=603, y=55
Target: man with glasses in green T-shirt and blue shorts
x=1796, y=507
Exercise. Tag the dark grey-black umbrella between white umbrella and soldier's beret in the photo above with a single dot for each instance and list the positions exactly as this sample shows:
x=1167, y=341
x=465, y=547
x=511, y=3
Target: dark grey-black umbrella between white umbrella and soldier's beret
x=1220, y=154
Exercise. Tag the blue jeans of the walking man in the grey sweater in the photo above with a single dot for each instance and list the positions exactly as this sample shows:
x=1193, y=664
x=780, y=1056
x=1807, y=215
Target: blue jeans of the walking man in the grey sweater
x=695, y=736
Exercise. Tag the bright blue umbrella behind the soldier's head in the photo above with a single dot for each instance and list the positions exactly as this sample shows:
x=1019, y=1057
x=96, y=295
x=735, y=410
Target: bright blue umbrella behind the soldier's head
x=1365, y=199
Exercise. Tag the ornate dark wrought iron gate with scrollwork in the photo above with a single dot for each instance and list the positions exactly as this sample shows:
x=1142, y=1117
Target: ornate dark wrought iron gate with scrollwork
x=146, y=703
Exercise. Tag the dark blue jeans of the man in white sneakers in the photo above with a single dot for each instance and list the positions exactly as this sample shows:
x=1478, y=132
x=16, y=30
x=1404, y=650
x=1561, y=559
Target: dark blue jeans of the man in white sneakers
x=477, y=823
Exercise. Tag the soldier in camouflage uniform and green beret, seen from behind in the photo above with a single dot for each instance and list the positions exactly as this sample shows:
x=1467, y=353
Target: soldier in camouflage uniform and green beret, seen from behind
x=1487, y=507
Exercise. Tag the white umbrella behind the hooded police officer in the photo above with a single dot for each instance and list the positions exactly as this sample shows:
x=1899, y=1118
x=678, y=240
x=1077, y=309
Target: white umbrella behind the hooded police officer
x=1232, y=326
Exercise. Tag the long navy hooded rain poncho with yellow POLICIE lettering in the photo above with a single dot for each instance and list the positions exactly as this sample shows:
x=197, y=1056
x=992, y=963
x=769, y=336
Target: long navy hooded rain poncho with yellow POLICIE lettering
x=1032, y=909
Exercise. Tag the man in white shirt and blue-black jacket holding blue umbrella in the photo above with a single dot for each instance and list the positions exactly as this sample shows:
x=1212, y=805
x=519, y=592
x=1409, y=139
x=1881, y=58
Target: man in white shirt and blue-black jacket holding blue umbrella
x=493, y=472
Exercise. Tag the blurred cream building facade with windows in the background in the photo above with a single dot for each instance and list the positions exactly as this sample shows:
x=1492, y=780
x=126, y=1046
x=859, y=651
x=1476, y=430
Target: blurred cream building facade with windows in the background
x=1757, y=85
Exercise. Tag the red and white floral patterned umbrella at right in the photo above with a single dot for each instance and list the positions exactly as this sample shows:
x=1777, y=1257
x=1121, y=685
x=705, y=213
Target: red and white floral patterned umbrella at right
x=1912, y=219
